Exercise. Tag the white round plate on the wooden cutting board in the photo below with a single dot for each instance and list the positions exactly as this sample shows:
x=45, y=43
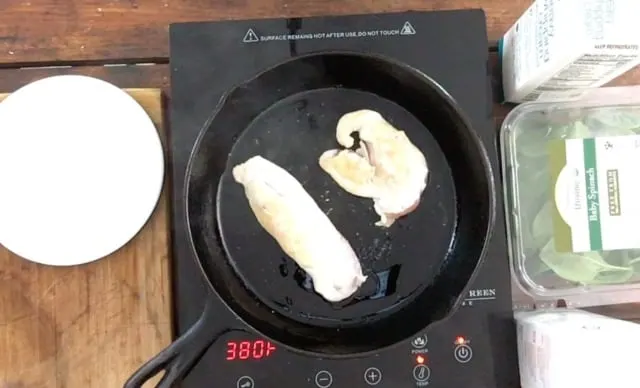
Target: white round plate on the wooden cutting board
x=81, y=170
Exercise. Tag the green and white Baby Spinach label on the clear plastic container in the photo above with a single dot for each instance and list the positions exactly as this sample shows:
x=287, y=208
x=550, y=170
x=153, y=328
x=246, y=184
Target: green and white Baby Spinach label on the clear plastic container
x=596, y=193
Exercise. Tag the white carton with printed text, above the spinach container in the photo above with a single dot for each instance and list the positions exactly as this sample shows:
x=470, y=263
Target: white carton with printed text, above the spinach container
x=559, y=48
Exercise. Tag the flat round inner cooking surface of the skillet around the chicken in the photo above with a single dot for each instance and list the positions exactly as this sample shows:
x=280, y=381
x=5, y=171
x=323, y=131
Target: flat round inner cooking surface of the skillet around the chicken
x=293, y=133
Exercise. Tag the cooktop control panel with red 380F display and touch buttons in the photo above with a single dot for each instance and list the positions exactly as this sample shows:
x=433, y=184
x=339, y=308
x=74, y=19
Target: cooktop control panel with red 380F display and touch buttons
x=448, y=356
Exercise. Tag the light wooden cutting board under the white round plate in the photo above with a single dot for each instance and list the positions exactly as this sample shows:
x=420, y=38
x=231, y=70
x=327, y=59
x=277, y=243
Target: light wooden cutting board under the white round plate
x=91, y=325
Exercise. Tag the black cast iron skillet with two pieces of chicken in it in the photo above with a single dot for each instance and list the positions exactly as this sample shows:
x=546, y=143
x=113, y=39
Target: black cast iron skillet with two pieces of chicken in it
x=419, y=268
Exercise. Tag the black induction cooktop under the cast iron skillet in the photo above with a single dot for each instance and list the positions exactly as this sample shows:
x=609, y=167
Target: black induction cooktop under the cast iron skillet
x=476, y=347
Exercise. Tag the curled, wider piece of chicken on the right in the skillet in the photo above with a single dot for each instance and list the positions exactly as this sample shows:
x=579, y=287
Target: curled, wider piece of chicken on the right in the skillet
x=385, y=166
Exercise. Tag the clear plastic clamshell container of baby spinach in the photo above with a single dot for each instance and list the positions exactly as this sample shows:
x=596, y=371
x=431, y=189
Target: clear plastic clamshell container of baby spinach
x=571, y=176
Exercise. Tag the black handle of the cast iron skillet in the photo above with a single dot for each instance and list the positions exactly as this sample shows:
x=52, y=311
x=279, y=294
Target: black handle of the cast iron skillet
x=178, y=358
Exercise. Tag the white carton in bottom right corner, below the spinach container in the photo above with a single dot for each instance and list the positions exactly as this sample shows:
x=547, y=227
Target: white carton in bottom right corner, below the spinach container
x=567, y=348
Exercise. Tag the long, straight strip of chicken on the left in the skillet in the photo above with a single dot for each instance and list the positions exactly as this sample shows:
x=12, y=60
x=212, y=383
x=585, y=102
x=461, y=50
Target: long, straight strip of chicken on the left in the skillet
x=289, y=214
